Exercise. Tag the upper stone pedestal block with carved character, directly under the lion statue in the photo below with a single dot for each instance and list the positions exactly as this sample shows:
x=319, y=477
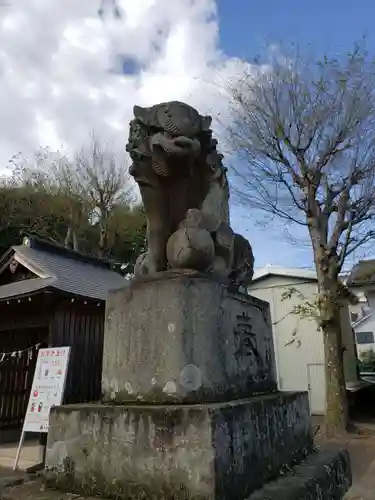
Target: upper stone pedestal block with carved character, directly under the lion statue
x=185, y=338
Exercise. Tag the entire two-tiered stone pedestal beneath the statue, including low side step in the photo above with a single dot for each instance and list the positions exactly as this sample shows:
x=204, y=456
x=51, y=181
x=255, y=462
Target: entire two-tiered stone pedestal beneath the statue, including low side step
x=190, y=408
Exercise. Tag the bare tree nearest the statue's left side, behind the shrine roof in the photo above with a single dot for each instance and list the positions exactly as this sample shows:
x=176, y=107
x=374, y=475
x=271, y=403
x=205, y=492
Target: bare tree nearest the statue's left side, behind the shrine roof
x=105, y=179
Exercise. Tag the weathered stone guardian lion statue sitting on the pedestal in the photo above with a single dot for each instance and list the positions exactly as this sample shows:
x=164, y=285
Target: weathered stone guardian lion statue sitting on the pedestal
x=184, y=189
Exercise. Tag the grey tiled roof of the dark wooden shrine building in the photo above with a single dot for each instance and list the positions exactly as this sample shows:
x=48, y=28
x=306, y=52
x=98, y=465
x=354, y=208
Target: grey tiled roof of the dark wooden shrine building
x=62, y=269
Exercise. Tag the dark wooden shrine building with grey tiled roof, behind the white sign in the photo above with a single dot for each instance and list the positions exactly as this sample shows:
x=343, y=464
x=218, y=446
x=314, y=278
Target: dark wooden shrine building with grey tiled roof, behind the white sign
x=50, y=296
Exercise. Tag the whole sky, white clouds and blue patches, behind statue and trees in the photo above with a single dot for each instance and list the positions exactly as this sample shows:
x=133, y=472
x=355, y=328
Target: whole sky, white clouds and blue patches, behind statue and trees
x=61, y=74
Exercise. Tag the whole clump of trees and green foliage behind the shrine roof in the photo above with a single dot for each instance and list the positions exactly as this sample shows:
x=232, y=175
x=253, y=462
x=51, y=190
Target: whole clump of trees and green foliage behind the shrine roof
x=87, y=204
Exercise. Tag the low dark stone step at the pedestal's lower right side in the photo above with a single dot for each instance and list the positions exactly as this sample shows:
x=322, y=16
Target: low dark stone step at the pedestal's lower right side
x=325, y=474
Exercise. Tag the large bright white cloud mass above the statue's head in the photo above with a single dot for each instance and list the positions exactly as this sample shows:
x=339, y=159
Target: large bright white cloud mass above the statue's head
x=60, y=67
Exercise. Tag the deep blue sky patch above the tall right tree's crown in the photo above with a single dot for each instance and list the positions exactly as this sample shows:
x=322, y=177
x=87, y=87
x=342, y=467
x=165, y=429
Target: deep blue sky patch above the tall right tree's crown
x=247, y=26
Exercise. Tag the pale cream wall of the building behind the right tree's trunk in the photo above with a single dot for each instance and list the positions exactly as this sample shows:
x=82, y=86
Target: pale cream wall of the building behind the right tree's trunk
x=299, y=348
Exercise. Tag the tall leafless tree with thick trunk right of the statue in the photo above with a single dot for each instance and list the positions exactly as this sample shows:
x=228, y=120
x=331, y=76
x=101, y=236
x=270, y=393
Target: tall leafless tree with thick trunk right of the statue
x=303, y=135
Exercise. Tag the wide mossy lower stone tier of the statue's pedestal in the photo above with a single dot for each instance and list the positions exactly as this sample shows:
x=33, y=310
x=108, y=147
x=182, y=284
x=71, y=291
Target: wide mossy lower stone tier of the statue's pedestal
x=212, y=451
